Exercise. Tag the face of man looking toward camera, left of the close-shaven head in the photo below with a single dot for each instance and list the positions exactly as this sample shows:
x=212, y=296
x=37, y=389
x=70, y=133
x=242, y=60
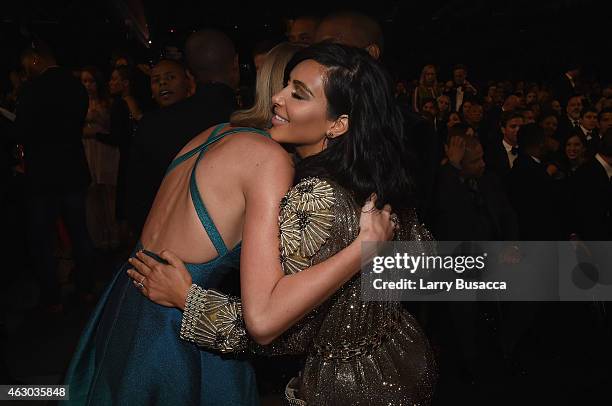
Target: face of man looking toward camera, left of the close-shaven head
x=169, y=83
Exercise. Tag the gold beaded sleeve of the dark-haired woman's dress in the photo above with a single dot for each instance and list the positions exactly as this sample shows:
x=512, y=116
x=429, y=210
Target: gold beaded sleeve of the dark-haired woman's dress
x=214, y=320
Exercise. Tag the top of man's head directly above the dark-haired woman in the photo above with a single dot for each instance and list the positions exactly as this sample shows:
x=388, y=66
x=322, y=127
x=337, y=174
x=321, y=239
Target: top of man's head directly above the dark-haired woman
x=353, y=29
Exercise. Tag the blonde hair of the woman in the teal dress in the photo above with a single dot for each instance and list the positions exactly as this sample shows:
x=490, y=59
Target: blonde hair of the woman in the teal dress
x=270, y=80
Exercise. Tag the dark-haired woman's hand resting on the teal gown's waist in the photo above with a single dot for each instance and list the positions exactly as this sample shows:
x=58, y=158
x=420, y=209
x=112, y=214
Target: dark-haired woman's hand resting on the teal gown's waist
x=166, y=285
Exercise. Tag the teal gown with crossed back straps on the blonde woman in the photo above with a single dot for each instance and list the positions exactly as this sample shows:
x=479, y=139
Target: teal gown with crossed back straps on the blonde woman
x=130, y=352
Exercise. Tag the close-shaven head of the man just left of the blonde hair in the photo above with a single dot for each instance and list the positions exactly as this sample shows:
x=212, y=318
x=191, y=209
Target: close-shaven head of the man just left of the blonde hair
x=211, y=56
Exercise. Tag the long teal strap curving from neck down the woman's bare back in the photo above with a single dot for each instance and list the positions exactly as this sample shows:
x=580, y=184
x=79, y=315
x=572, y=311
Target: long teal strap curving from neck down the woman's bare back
x=209, y=225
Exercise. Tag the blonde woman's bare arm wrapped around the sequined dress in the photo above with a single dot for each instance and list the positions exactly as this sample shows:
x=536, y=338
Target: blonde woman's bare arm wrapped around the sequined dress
x=272, y=302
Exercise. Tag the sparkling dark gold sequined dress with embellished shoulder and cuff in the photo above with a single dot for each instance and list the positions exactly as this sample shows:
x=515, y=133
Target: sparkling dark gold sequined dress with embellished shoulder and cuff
x=356, y=352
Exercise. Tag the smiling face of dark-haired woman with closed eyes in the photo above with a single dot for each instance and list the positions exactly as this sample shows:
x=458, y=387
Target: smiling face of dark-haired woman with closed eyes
x=300, y=110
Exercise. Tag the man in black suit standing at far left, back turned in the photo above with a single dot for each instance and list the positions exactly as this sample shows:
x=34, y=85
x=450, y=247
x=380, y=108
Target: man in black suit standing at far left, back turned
x=49, y=124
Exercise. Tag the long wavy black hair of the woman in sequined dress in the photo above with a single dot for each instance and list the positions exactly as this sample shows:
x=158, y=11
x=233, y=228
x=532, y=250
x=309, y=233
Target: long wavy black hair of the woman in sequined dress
x=370, y=156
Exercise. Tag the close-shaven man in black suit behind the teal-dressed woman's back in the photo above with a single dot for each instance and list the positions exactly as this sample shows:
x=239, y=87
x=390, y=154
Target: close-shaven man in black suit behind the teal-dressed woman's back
x=213, y=62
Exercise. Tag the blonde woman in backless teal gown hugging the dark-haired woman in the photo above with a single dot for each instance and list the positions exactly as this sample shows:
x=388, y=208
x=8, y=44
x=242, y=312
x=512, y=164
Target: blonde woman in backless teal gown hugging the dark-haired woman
x=216, y=208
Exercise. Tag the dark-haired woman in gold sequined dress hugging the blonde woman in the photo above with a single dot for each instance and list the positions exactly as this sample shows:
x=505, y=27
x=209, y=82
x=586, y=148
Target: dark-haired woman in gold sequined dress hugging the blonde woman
x=338, y=111
